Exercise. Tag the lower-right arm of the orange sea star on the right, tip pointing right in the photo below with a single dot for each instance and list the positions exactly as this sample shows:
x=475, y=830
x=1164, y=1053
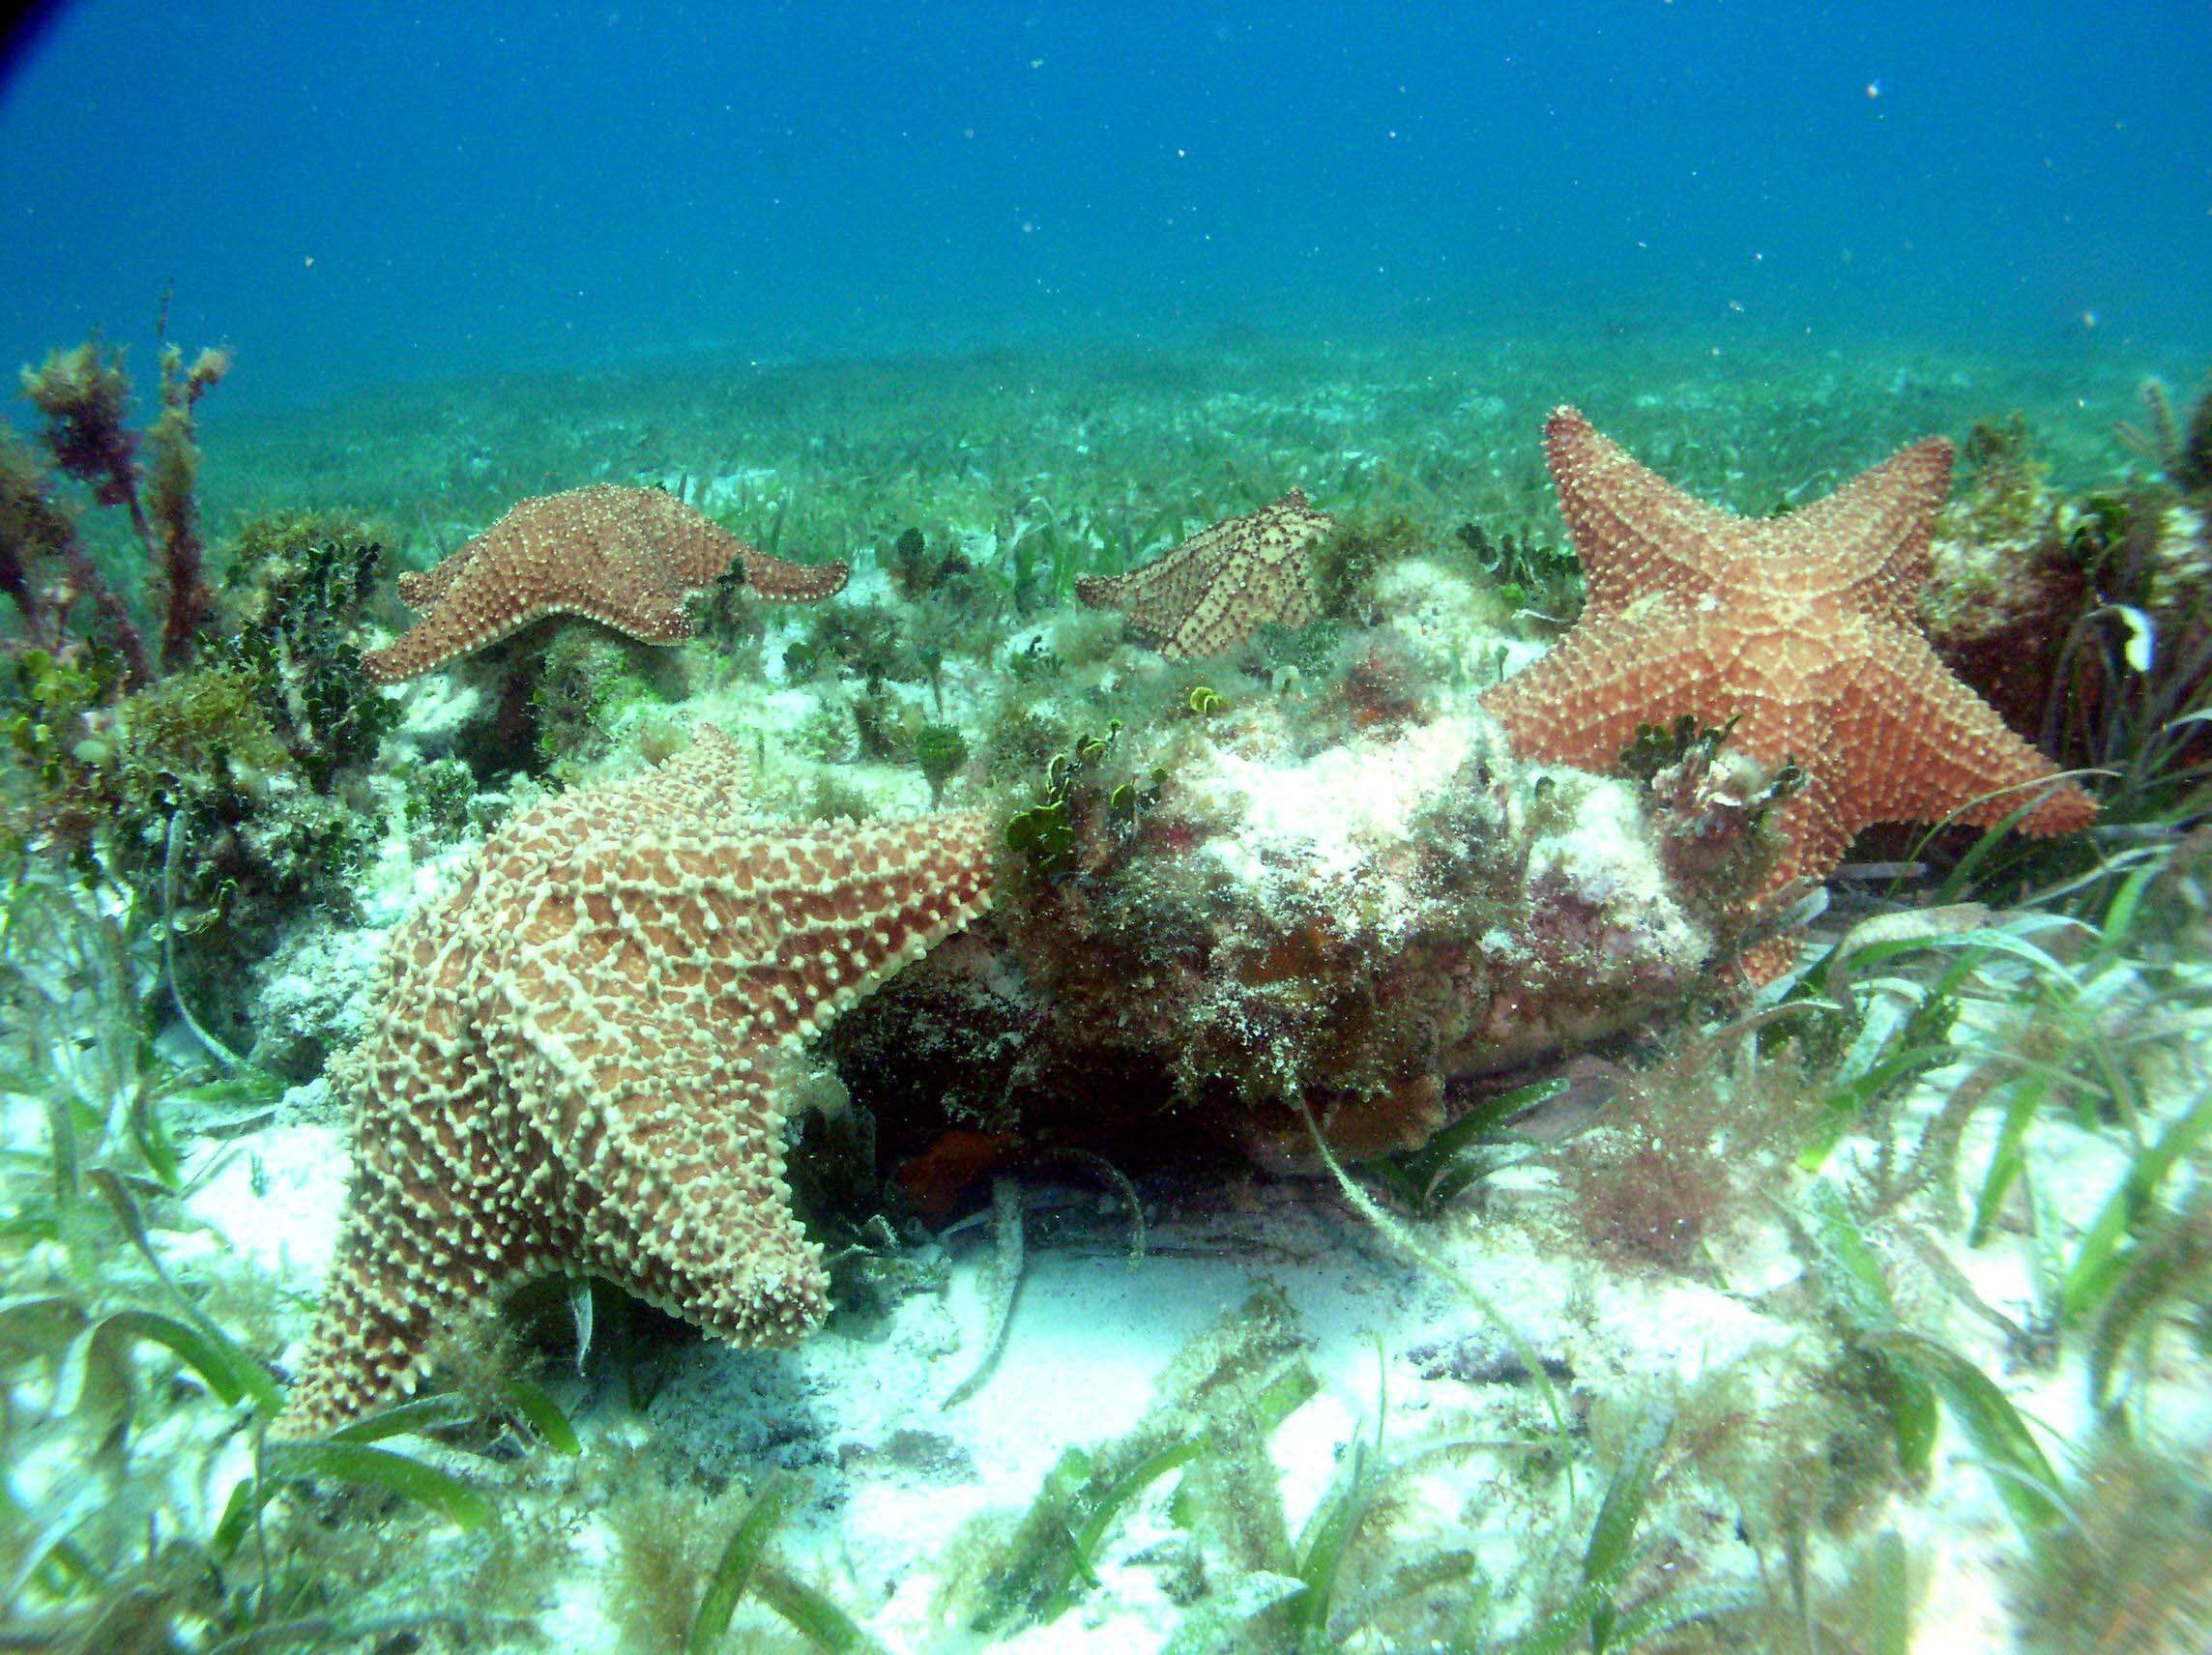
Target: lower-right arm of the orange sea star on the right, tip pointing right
x=1921, y=747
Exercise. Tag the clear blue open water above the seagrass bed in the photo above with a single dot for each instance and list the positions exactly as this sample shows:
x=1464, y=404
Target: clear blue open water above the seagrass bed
x=359, y=194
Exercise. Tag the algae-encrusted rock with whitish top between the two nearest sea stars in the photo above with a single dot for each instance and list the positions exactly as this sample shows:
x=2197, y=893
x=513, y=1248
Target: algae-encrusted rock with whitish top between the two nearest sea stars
x=1209, y=928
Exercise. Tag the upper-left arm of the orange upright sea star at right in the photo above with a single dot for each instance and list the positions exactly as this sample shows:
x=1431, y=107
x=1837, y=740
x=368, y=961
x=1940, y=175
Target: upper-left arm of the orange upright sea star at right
x=1634, y=530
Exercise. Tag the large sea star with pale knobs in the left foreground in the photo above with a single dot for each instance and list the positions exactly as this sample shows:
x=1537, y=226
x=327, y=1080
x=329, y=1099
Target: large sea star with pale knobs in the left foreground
x=572, y=1063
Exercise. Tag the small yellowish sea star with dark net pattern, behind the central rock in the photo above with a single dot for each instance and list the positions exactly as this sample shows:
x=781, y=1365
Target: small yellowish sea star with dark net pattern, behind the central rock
x=1222, y=585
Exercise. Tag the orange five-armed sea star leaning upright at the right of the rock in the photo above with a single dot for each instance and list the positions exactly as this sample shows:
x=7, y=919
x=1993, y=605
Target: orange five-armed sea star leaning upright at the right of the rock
x=1799, y=627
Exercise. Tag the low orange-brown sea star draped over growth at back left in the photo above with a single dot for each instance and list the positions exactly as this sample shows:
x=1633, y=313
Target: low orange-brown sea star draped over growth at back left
x=625, y=559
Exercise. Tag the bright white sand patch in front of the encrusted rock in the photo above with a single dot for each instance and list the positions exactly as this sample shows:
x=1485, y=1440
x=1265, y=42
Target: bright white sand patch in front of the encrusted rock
x=897, y=1475
